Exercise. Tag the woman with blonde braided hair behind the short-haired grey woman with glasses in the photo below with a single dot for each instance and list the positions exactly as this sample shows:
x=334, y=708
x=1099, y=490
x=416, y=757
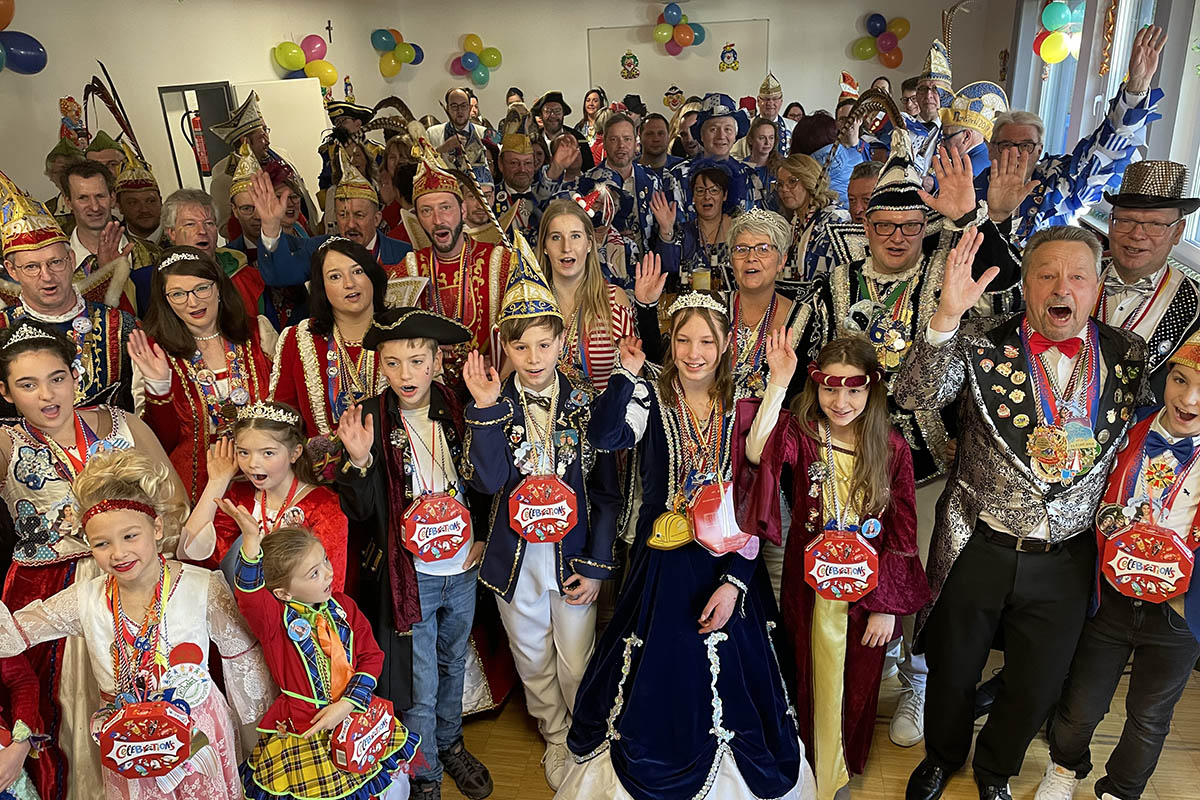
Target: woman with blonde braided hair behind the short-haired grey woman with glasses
x=812, y=207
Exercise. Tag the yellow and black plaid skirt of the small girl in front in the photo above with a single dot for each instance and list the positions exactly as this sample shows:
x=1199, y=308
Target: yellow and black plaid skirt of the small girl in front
x=287, y=766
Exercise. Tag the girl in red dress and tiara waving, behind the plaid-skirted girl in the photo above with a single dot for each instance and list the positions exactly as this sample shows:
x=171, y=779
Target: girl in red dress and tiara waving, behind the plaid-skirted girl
x=280, y=490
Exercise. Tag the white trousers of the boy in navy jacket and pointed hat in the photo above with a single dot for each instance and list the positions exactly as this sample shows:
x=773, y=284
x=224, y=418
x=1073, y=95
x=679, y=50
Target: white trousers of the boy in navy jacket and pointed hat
x=551, y=642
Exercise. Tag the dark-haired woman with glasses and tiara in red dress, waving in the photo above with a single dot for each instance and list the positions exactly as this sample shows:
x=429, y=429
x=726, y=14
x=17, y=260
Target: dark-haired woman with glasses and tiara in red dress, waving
x=202, y=359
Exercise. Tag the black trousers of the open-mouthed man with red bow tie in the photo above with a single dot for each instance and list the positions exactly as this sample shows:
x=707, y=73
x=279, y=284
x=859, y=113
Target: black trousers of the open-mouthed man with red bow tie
x=1040, y=603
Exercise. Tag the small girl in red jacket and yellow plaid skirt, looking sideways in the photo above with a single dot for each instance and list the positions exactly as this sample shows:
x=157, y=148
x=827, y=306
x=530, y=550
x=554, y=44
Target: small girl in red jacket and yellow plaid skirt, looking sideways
x=322, y=653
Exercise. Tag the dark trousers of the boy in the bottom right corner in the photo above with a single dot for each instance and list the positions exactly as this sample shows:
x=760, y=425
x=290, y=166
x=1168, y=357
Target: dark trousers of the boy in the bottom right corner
x=1163, y=651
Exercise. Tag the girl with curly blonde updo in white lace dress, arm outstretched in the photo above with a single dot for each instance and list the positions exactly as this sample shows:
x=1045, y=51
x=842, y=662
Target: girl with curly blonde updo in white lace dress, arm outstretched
x=147, y=622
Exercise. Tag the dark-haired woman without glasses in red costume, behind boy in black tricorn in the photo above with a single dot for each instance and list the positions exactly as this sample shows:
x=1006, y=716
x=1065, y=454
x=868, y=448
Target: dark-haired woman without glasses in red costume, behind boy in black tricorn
x=321, y=366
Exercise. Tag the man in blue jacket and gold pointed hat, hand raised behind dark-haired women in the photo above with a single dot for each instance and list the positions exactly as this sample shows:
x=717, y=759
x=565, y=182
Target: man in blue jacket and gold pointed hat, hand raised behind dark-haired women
x=358, y=218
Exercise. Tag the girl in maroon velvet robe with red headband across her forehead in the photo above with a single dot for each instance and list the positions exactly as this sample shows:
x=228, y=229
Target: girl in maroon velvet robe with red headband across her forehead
x=853, y=473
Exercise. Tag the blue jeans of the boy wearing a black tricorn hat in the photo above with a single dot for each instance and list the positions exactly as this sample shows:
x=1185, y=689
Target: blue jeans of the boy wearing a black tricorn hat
x=440, y=661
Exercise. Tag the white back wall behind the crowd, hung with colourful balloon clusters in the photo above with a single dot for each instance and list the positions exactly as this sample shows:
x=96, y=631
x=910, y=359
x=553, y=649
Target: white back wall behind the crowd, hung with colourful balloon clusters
x=147, y=44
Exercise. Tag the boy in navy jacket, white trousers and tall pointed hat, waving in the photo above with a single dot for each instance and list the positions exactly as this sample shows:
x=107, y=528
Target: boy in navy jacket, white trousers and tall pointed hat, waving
x=555, y=509
